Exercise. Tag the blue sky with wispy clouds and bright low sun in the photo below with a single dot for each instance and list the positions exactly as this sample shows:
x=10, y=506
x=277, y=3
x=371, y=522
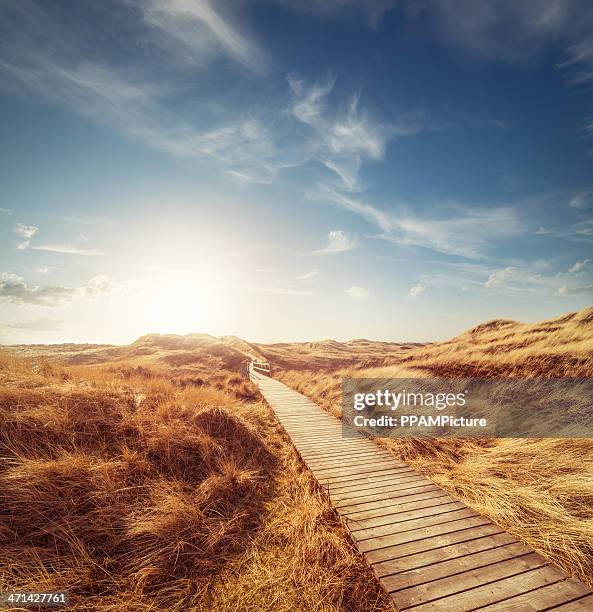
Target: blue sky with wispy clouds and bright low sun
x=286, y=170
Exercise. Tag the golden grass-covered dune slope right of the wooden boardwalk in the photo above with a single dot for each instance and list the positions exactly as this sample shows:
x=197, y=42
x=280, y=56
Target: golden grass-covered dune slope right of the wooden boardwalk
x=541, y=490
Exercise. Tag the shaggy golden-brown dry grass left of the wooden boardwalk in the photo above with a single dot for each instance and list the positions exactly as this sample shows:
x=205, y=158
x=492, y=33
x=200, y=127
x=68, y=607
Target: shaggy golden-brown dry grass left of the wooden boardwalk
x=136, y=491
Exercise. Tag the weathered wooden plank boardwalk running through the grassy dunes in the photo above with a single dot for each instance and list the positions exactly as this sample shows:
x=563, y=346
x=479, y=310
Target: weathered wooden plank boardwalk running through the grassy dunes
x=428, y=550
